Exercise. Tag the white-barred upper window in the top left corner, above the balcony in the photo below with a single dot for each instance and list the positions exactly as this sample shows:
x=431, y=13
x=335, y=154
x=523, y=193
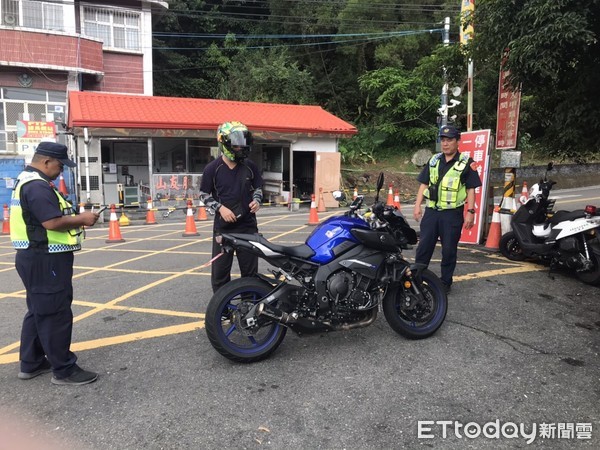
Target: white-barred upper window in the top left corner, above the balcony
x=32, y=14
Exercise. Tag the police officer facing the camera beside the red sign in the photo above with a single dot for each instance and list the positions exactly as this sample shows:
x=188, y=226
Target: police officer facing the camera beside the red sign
x=448, y=183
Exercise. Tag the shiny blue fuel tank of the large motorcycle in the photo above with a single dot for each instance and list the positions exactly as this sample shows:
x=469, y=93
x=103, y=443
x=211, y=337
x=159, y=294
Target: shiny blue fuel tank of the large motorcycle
x=332, y=237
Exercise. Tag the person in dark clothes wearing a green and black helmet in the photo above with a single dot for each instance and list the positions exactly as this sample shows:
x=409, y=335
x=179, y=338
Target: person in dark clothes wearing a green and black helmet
x=232, y=186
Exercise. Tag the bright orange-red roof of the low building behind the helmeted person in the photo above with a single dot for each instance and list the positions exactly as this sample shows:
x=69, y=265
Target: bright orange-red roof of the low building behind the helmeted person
x=104, y=110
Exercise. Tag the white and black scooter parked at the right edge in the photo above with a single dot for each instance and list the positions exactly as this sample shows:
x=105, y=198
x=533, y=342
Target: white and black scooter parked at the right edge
x=565, y=239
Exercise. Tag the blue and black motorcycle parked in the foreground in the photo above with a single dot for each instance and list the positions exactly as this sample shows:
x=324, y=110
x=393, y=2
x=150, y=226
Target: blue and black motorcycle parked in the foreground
x=337, y=280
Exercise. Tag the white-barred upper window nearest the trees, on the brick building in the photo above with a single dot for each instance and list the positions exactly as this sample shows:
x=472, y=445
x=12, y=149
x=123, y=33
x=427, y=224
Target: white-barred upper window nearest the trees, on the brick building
x=116, y=28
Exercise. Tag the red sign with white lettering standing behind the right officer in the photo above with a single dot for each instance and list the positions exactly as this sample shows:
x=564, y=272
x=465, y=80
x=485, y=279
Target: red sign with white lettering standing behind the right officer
x=476, y=145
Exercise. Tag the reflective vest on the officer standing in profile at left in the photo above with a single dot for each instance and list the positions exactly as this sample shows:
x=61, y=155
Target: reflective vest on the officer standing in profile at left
x=21, y=232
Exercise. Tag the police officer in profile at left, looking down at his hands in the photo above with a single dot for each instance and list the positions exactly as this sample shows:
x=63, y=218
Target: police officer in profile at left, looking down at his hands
x=45, y=231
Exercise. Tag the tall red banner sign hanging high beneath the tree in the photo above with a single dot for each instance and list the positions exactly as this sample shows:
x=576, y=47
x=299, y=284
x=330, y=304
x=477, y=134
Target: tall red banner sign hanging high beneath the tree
x=507, y=121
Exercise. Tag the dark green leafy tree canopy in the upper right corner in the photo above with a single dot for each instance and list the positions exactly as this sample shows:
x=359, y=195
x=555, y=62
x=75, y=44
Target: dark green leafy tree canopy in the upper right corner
x=554, y=54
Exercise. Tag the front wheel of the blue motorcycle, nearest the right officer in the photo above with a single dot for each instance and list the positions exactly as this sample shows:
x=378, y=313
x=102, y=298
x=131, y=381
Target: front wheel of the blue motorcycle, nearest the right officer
x=413, y=316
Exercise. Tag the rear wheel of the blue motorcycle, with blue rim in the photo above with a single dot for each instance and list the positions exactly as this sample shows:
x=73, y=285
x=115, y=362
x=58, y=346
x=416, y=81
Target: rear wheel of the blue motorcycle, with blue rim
x=225, y=329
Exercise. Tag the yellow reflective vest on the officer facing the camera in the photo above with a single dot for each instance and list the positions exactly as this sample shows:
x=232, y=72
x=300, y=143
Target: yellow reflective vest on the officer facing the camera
x=451, y=192
